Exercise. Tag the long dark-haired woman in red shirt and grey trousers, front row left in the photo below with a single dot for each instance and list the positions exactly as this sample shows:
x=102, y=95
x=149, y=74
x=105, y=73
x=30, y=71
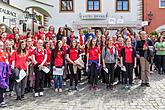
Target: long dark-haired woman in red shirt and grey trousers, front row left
x=19, y=62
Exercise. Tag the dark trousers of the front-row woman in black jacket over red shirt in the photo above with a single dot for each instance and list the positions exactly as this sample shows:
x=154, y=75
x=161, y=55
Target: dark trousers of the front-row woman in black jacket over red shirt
x=128, y=74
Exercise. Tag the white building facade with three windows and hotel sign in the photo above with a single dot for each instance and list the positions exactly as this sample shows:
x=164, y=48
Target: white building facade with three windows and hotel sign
x=99, y=14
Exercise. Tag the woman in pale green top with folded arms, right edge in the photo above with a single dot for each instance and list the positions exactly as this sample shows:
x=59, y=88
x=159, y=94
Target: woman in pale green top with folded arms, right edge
x=160, y=52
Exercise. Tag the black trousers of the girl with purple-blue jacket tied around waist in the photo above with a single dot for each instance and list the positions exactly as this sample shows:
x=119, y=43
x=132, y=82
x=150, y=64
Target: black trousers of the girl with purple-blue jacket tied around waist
x=93, y=74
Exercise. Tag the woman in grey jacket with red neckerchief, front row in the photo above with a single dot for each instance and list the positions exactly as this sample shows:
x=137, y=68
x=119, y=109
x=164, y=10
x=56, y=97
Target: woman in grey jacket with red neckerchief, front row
x=109, y=58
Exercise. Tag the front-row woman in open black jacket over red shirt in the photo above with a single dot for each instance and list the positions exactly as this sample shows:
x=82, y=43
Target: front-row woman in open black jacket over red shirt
x=128, y=60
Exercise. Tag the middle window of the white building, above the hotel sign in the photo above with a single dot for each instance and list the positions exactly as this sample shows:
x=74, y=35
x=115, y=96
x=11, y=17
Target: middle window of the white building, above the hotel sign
x=93, y=5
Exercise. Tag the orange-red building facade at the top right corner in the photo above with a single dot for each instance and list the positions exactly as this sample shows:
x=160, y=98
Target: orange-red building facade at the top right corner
x=154, y=13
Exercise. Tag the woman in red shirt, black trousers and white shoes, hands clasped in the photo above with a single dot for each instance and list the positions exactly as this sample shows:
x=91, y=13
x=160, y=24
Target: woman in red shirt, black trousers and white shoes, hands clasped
x=39, y=58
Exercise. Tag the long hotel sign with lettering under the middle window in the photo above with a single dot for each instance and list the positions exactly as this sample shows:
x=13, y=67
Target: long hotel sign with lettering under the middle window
x=93, y=16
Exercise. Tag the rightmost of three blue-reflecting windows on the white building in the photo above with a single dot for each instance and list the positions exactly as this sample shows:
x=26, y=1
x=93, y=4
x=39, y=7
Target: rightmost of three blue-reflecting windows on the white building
x=122, y=5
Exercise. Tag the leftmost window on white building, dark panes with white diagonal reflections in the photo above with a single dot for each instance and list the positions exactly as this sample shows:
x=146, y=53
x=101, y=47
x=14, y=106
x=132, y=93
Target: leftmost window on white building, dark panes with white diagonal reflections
x=66, y=5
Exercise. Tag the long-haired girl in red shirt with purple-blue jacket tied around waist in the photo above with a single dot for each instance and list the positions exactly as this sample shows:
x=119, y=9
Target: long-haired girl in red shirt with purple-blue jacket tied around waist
x=93, y=61
